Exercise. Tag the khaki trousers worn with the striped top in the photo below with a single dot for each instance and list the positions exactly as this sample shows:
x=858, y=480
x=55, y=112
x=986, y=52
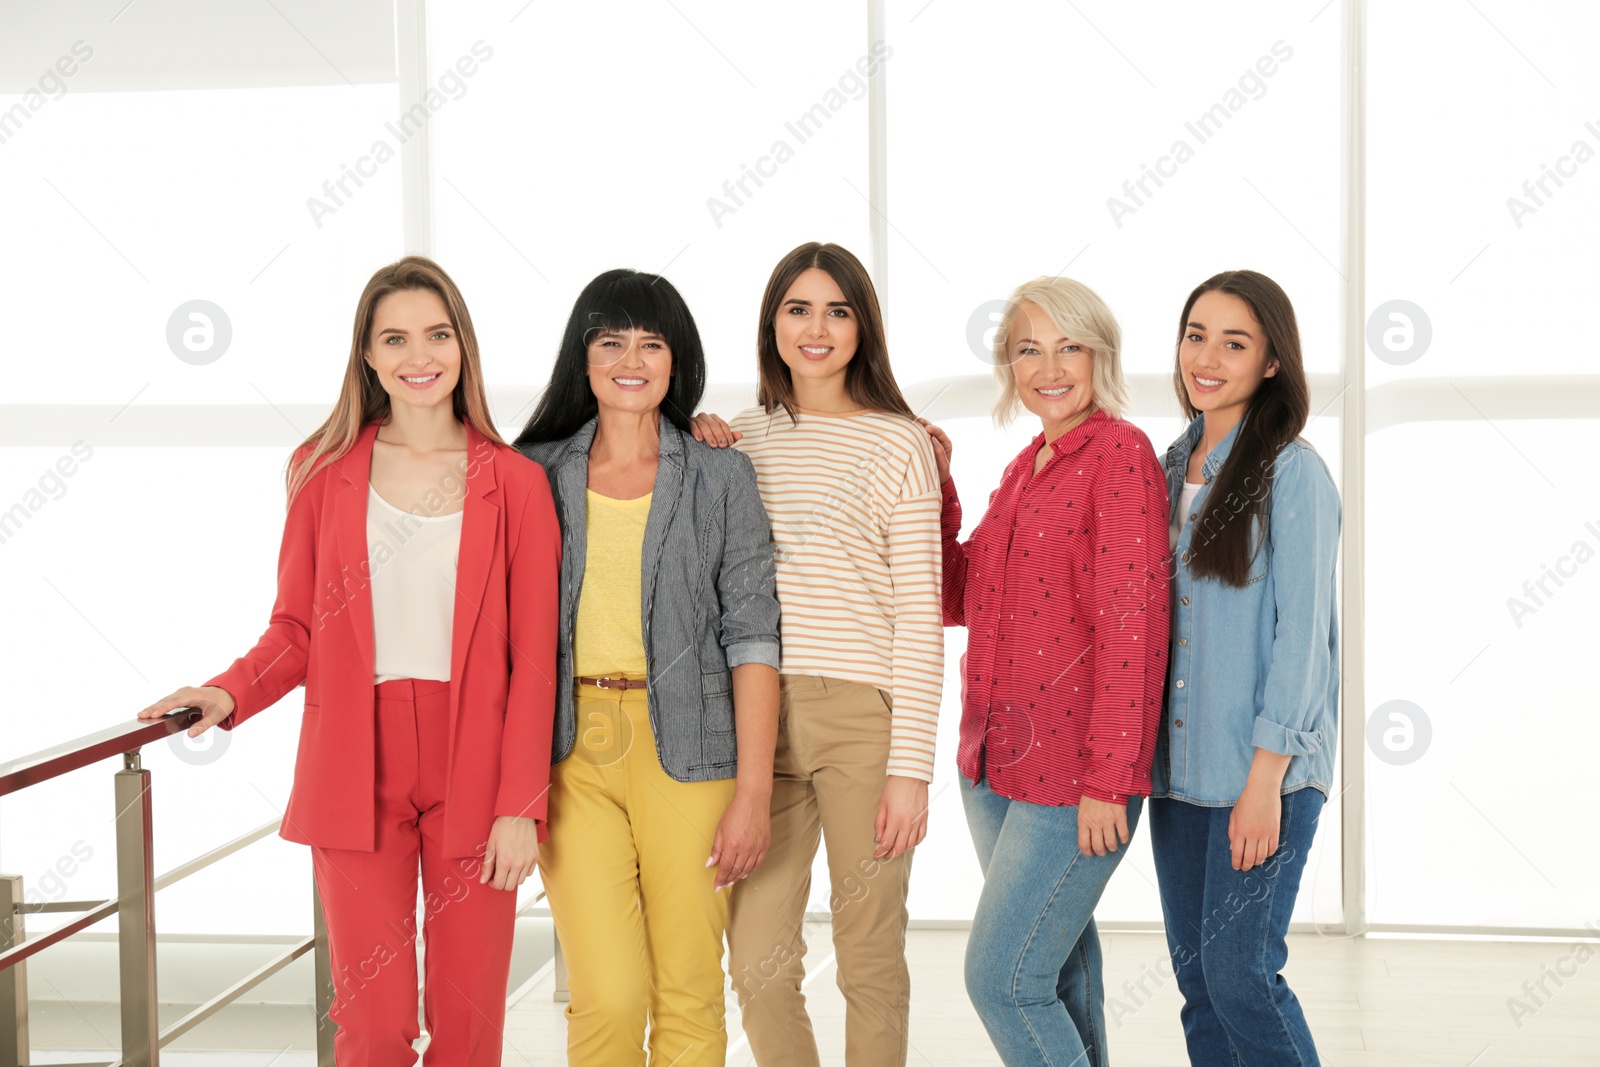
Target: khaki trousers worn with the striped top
x=828, y=781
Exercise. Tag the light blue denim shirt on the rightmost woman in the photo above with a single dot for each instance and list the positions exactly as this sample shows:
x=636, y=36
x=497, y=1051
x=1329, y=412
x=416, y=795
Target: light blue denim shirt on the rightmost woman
x=1255, y=666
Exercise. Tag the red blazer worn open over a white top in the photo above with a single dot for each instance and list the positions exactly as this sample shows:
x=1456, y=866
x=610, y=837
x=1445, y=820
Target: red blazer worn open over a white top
x=502, y=660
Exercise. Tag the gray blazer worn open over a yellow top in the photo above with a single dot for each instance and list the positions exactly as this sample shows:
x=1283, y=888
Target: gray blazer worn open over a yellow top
x=710, y=593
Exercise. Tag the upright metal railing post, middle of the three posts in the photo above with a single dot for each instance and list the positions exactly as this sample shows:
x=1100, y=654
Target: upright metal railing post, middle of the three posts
x=137, y=916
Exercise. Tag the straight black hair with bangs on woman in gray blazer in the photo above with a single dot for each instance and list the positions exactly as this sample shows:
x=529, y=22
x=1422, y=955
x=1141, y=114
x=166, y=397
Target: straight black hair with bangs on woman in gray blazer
x=620, y=300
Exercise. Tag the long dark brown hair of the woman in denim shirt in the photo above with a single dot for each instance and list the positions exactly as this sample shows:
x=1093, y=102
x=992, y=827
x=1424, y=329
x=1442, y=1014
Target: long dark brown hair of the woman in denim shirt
x=1241, y=494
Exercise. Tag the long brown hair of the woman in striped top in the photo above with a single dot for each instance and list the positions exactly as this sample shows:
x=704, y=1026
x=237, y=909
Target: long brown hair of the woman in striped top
x=870, y=382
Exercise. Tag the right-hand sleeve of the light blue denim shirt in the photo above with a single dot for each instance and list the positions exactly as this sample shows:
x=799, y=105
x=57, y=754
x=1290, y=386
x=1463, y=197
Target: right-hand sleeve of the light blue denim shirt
x=1297, y=716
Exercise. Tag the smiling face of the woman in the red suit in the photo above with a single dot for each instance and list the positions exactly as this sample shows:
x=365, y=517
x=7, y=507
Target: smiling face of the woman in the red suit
x=414, y=350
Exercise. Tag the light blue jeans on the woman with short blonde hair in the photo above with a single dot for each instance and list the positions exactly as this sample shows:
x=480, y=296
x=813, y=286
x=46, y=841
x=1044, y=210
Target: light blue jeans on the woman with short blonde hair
x=1033, y=961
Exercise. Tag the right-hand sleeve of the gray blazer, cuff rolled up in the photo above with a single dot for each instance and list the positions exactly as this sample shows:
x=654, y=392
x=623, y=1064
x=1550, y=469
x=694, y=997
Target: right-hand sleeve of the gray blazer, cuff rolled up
x=746, y=578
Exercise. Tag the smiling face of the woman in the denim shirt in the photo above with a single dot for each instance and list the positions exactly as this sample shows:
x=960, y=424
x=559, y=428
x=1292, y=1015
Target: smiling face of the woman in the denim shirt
x=1223, y=358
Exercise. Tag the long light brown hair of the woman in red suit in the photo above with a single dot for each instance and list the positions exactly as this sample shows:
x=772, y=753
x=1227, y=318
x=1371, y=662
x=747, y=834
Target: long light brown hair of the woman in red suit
x=362, y=398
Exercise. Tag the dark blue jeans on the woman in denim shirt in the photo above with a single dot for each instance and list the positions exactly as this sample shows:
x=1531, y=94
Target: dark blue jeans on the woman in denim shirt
x=1226, y=932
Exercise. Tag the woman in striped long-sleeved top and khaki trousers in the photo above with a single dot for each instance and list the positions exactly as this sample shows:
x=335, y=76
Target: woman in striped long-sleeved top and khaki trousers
x=849, y=482
